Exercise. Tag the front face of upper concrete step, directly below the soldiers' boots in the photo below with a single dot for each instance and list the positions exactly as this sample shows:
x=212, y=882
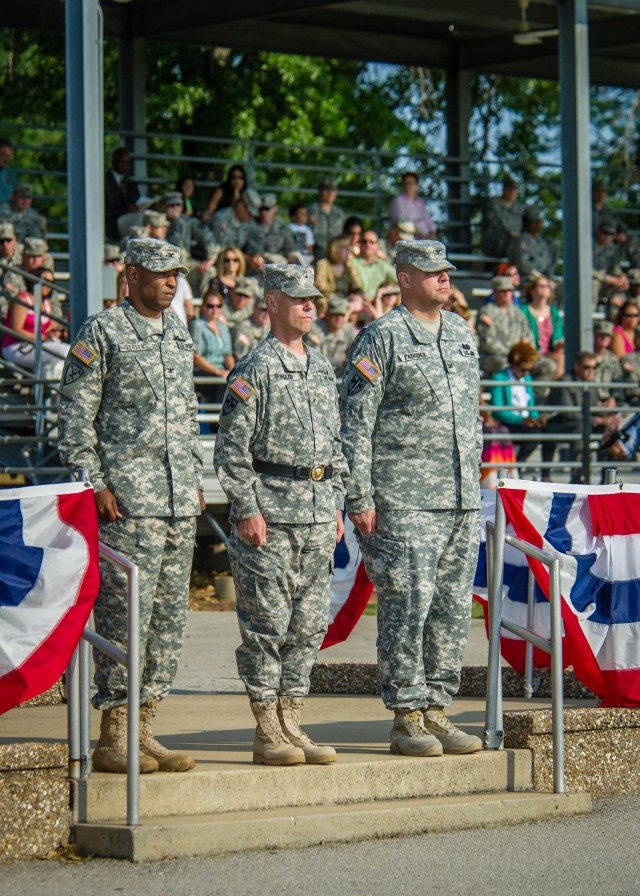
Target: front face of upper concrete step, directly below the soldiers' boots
x=102, y=797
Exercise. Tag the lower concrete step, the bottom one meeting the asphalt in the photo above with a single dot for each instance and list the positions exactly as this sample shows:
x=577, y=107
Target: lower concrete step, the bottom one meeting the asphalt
x=170, y=837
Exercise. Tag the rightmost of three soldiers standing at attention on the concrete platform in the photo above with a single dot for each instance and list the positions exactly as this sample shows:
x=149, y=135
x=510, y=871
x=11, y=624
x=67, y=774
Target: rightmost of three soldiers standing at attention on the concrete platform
x=412, y=437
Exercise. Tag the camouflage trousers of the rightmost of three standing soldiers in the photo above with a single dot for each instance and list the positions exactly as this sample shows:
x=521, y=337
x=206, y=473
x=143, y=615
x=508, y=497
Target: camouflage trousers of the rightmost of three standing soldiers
x=422, y=564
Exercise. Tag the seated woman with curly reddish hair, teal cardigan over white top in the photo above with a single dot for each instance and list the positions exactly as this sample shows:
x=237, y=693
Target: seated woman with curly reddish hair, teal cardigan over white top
x=514, y=387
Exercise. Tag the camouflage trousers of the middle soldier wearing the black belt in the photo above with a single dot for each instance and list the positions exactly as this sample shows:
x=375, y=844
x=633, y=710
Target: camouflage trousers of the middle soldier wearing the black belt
x=282, y=599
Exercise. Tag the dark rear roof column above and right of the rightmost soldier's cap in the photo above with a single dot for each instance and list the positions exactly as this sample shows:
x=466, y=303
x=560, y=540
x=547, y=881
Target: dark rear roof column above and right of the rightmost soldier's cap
x=458, y=169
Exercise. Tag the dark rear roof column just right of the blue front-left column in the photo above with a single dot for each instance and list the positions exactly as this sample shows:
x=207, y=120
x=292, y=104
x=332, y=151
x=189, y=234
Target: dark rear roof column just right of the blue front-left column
x=132, y=93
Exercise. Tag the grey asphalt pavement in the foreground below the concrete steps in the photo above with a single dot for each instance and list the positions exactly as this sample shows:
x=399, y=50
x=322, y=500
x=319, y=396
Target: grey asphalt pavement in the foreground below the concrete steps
x=594, y=854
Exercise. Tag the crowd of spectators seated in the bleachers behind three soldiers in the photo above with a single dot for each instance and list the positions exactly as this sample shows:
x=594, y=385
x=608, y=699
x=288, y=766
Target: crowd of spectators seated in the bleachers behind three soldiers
x=228, y=236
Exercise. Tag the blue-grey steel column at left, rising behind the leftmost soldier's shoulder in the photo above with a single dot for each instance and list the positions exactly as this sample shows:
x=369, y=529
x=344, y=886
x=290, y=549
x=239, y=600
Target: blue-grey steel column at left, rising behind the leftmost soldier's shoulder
x=85, y=170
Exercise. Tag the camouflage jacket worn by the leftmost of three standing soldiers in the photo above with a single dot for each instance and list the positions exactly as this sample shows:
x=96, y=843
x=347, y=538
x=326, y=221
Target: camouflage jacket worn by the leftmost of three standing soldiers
x=128, y=412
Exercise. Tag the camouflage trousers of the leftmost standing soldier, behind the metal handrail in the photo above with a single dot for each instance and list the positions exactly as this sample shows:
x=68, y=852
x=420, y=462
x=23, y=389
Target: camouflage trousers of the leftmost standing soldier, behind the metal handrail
x=163, y=549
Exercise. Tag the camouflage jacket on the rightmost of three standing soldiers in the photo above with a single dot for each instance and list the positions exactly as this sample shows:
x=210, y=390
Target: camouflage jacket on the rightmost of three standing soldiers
x=411, y=430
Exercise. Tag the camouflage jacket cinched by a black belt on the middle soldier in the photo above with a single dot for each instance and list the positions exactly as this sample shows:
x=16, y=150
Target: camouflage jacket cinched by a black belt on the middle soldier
x=280, y=409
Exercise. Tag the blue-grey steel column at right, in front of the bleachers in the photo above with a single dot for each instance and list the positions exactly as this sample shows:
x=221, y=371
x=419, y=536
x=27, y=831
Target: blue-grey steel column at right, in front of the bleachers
x=573, y=53
